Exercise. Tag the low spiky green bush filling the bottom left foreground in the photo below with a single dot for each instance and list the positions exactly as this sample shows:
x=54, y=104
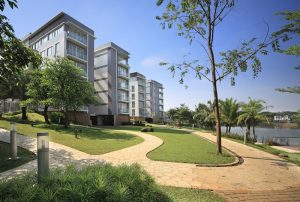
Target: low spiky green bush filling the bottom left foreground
x=93, y=183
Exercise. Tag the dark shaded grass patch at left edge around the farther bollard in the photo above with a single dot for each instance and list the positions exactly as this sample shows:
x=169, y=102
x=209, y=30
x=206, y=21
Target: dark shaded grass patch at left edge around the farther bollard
x=5, y=164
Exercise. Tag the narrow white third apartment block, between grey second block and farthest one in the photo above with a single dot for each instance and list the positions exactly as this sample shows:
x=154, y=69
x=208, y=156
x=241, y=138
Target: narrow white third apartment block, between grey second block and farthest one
x=137, y=96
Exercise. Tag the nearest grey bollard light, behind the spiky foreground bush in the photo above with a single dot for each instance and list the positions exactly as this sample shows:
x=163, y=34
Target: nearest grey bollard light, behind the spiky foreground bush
x=43, y=155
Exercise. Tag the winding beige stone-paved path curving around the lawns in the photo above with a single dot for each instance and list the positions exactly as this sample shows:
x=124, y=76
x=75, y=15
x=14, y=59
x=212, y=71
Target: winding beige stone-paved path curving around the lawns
x=260, y=173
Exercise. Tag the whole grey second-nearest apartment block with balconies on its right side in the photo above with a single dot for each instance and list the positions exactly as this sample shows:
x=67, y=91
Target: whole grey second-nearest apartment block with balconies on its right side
x=111, y=82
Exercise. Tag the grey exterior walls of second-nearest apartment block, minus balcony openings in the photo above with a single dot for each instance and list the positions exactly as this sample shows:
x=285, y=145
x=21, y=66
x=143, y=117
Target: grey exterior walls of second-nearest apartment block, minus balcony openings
x=107, y=84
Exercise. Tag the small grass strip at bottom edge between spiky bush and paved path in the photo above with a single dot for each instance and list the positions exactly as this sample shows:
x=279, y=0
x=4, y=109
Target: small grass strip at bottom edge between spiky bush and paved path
x=185, y=195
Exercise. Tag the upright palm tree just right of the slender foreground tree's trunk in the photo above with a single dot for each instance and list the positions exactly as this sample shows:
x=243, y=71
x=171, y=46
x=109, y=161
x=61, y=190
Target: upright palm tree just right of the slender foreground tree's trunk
x=229, y=112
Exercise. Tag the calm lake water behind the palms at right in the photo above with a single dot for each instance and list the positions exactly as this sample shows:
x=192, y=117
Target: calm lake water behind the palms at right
x=283, y=135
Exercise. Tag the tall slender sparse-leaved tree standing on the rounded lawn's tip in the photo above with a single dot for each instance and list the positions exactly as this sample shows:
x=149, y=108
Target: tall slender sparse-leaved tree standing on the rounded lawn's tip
x=198, y=20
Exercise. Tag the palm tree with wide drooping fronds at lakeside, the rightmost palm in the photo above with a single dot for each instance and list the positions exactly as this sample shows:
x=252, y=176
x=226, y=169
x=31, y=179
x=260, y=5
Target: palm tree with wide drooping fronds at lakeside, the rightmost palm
x=251, y=114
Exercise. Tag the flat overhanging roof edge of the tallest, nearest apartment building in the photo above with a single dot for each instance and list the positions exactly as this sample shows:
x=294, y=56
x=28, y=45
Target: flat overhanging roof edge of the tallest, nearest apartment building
x=55, y=18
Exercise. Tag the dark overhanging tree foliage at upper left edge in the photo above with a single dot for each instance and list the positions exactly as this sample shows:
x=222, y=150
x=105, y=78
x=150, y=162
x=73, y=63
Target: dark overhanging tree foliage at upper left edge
x=15, y=56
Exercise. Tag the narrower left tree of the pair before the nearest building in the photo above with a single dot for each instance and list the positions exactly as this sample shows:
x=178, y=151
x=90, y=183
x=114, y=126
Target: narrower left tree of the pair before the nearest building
x=38, y=91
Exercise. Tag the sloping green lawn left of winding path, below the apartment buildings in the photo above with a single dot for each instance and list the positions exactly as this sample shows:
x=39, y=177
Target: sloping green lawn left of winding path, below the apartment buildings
x=91, y=141
